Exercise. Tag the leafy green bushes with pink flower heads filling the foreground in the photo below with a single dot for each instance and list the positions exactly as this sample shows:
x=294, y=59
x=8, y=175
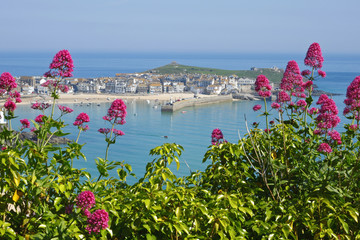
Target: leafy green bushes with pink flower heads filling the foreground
x=297, y=179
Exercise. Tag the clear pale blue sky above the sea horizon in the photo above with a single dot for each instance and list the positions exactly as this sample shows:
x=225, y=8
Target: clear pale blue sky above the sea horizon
x=209, y=26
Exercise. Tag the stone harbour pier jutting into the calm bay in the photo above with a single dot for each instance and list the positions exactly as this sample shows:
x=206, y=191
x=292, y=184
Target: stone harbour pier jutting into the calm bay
x=172, y=107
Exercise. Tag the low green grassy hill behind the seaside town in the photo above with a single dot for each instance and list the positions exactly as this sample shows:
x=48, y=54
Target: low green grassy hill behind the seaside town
x=273, y=74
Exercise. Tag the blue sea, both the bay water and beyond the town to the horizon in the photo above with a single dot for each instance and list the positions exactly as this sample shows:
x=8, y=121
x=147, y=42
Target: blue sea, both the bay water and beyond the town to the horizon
x=146, y=126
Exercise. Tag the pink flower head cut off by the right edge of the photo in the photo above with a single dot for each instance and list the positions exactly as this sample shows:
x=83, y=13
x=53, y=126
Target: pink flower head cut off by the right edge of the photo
x=352, y=100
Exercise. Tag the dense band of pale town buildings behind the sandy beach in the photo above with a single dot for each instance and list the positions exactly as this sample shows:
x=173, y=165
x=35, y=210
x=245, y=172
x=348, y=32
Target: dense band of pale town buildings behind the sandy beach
x=146, y=83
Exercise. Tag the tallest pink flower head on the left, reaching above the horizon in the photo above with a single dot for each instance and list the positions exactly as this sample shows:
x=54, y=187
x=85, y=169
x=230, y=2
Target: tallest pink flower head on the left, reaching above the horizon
x=62, y=65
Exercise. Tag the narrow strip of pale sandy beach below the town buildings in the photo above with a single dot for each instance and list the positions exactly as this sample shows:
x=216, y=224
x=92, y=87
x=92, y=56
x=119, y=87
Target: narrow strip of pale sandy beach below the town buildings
x=99, y=98
